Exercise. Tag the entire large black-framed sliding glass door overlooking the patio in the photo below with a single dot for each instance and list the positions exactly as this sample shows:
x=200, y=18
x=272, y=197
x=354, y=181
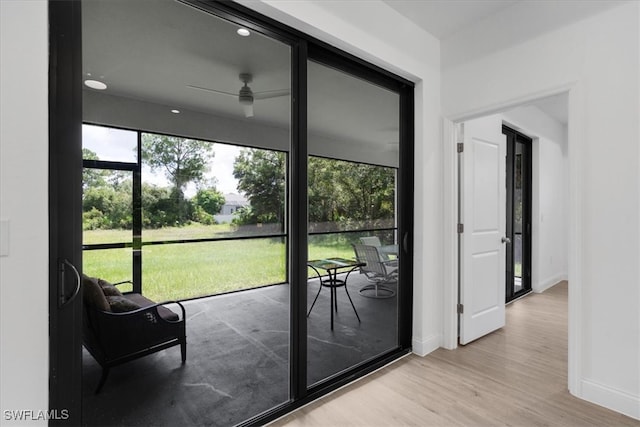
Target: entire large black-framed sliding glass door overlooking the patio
x=256, y=177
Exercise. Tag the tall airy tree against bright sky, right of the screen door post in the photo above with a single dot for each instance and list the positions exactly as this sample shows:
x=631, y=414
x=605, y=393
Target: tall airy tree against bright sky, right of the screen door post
x=182, y=160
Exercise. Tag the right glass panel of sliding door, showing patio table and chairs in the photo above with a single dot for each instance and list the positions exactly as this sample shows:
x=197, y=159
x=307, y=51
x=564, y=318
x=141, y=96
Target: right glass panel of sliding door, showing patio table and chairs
x=353, y=135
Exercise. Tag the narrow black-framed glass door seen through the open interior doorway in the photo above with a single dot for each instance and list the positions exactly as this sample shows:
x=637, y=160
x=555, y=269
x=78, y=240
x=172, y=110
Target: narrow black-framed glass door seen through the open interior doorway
x=518, y=226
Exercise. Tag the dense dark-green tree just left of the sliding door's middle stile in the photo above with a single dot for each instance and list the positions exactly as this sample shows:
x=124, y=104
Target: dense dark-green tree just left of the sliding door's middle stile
x=261, y=176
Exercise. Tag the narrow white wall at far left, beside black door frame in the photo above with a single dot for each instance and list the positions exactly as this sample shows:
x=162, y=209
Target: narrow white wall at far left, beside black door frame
x=24, y=276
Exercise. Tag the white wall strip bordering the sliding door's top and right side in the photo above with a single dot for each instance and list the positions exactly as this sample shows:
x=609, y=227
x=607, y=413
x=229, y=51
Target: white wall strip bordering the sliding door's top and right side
x=373, y=31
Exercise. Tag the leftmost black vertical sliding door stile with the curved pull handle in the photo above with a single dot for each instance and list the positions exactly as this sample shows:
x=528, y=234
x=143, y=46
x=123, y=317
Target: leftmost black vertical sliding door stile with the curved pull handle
x=65, y=213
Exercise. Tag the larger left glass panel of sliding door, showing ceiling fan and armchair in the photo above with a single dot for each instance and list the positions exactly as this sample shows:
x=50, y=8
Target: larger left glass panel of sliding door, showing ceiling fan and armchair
x=202, y=109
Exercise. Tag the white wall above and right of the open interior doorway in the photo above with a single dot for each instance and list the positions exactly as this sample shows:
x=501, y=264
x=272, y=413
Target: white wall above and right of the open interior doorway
x=598, y=60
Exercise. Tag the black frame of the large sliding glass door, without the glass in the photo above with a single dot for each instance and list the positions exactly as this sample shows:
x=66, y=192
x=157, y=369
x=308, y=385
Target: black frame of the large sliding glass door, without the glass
x=303, y=47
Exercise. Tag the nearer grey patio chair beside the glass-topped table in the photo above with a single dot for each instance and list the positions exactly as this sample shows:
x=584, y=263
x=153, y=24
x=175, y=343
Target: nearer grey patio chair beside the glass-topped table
x=379, y=273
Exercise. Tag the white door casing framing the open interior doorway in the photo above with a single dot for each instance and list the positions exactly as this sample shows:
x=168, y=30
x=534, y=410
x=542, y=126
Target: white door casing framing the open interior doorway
x=575, y=134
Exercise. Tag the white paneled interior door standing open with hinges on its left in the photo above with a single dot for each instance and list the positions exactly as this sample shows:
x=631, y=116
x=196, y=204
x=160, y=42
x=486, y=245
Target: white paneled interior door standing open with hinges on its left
x=483, y=215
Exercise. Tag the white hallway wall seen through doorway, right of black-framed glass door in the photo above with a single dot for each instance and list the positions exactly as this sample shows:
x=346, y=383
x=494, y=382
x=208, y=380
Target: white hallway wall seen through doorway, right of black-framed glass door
x=550, y=193
